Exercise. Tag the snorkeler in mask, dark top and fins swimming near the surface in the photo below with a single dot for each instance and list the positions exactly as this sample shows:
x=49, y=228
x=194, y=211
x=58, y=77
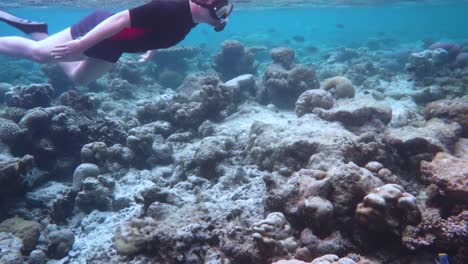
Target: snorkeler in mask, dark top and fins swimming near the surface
x=89, y=48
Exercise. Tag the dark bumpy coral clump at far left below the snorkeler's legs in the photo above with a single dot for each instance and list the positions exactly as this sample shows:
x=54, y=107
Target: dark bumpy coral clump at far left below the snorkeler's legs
x=35, y=95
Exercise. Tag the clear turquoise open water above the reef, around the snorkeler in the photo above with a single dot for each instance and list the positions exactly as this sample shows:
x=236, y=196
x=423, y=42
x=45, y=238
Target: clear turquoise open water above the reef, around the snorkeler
x=406, y=24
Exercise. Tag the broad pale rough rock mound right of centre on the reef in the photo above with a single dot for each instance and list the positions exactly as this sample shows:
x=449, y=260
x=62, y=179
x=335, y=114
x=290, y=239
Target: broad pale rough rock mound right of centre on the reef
x=288, y=148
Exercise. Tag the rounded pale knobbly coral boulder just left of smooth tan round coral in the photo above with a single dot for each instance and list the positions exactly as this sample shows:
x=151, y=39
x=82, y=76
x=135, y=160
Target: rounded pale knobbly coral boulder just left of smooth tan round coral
x=311, y=99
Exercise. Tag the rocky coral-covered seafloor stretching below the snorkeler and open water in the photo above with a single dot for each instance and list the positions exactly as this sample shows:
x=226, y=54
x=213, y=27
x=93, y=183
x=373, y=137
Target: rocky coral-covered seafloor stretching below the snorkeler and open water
x=248, y=157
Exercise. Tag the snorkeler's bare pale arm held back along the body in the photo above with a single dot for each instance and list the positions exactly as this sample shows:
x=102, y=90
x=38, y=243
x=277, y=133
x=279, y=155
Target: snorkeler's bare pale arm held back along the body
x=105, y=29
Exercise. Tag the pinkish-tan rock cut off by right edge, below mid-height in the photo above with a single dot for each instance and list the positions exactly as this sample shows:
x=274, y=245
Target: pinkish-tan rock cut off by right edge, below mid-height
x=450, y=174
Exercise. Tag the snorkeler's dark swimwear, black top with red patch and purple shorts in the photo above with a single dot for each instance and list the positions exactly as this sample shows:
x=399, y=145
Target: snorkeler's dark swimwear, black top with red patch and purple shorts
x=156, y=25
